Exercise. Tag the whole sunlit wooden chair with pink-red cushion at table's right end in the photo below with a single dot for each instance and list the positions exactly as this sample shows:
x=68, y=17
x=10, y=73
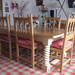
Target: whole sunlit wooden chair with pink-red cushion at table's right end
x=65, y=45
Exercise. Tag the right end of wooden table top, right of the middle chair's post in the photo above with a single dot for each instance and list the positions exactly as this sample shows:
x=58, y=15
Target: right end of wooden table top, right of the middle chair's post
x=48, y=32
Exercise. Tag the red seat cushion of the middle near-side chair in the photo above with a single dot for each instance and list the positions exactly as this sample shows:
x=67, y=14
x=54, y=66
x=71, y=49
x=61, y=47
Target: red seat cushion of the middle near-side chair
x=28, y=42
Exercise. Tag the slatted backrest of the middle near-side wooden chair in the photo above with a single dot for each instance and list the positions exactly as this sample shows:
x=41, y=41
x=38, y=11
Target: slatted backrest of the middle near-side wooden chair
x=21, y=29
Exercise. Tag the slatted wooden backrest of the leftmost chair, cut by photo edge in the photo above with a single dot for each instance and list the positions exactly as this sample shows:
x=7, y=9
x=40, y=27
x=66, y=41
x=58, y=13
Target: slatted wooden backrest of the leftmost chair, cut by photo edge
x=5, y=25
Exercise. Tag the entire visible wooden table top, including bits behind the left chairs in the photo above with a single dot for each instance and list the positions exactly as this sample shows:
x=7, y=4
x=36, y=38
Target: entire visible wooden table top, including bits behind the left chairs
x=41, y=32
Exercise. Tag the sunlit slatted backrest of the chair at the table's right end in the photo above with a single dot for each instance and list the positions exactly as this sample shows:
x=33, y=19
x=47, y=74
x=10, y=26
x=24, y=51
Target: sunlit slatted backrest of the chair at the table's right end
x=69, y=30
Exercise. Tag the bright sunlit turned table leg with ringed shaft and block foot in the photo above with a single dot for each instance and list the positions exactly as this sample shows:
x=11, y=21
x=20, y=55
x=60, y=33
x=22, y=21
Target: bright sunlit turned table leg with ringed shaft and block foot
x=46, y=65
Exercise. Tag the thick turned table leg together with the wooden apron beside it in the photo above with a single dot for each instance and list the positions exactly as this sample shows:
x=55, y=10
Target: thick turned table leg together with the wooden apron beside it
x=47, y=43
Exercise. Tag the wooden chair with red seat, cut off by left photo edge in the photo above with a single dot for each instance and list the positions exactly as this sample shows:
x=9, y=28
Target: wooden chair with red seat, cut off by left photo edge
x=6, y=40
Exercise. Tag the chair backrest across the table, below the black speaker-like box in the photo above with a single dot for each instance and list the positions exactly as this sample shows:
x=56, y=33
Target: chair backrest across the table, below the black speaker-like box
x=52, y=22
